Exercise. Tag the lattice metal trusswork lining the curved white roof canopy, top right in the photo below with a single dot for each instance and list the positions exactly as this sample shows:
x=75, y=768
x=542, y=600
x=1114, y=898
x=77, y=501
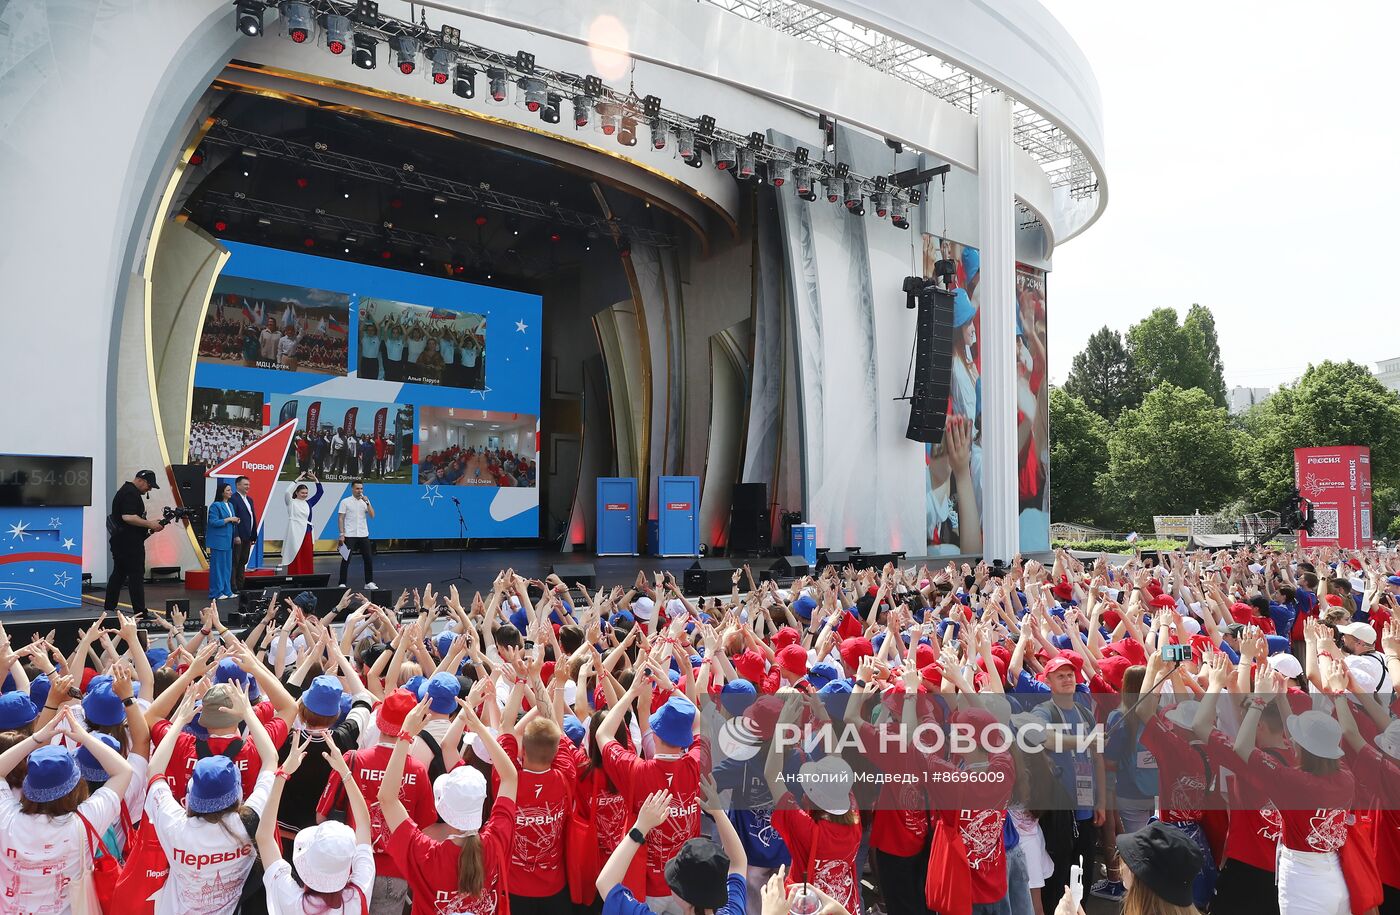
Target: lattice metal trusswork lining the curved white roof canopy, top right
x=1059, y=156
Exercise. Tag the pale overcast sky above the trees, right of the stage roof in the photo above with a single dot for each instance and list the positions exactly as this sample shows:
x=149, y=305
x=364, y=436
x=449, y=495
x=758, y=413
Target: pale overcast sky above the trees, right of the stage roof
x=1254, y=167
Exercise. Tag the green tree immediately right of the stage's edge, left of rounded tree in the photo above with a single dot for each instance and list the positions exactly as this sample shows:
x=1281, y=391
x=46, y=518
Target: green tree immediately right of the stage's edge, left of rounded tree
x=1079, y=455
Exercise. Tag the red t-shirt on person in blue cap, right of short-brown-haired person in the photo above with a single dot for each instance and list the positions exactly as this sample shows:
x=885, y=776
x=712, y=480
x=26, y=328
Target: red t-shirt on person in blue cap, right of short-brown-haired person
x=681, y=776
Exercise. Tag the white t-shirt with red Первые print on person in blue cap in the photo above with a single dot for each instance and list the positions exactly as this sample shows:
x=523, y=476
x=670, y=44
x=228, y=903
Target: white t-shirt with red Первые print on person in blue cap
x=209, y=865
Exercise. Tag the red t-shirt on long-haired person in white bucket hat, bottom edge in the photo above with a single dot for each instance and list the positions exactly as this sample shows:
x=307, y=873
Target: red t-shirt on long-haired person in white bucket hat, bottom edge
x=430, y=867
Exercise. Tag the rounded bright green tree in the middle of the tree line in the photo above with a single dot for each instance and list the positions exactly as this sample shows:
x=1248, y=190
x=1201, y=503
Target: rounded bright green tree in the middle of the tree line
x=1175, y=455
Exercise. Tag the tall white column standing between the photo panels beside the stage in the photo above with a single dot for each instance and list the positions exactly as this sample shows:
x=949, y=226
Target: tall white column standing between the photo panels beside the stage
x=996, y=295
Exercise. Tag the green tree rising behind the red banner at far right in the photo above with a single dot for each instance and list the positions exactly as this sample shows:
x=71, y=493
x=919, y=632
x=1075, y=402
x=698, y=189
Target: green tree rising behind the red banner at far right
x=1333, y=404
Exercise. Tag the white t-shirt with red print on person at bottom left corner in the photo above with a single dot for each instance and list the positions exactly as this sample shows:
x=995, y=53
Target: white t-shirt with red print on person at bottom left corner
x=41, y=858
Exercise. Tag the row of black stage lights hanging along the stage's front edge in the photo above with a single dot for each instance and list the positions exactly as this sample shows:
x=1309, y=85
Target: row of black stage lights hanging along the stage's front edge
x=745, y=159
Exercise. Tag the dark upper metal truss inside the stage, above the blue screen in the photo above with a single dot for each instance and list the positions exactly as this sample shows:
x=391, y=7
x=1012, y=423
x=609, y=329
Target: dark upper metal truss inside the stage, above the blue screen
x=408, y=176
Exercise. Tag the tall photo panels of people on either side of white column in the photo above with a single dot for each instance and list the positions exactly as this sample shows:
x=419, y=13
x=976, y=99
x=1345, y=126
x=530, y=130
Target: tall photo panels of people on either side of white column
x=954, y=490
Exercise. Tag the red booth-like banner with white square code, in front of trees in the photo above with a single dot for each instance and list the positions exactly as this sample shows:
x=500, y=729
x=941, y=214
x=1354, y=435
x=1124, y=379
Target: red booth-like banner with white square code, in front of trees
x=1338, y=483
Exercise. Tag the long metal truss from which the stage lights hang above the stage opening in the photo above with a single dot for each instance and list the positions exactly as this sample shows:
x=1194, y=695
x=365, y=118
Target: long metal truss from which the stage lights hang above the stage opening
x=370, y=22
